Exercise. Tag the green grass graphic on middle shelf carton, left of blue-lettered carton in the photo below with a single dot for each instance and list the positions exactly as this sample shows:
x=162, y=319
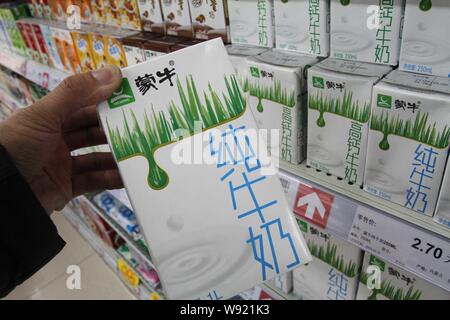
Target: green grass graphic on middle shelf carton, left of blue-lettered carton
x=344, y=106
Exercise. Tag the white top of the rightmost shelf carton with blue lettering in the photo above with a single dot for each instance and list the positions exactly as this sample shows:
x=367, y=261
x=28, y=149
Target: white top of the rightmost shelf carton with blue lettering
x=420, y=82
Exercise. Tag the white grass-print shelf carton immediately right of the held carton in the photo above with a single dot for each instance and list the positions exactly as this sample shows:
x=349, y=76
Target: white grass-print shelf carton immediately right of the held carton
x=276, y=82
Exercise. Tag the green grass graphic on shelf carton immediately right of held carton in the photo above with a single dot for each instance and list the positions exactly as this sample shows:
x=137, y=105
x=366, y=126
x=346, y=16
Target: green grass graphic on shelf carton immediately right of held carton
x=275, y=93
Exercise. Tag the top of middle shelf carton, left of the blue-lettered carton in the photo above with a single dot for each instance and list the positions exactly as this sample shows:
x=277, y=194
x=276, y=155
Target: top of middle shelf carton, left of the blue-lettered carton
x=354, y=67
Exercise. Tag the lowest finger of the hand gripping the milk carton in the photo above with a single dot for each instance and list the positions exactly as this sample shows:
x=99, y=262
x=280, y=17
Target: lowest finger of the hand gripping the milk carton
x=96, y=181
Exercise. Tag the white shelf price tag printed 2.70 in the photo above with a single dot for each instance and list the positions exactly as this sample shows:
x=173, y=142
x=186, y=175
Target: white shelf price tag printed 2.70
x=405, y=245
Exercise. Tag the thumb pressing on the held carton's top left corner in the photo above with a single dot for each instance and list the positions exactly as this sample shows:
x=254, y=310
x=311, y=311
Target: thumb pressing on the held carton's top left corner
x=78, y=91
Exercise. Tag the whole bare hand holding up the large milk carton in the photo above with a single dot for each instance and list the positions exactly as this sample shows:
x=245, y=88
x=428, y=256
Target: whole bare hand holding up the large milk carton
x=39, y=140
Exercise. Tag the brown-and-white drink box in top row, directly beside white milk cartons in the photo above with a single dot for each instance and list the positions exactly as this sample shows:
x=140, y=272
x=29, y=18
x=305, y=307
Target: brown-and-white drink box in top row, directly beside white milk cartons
x=209, y=19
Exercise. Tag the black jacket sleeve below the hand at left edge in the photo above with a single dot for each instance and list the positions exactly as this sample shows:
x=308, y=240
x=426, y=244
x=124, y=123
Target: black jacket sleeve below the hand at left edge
x=28, y=237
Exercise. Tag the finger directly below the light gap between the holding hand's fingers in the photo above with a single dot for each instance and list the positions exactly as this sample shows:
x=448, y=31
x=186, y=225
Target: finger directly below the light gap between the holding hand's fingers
x=96, y=161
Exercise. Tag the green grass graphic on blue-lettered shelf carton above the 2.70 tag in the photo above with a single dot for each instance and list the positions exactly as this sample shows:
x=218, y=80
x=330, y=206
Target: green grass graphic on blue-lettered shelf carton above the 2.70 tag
x=418, y=129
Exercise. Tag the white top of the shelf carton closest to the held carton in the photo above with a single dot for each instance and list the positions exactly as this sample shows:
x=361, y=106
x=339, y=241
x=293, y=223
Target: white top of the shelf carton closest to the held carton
x=285, y=59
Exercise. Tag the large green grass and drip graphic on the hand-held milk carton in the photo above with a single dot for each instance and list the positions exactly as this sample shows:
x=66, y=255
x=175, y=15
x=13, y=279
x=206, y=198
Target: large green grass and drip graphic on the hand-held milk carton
x=160, y=129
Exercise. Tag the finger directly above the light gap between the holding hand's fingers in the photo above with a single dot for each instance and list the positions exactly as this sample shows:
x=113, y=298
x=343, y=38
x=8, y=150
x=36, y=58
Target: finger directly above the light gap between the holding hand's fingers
x=91, y=136
